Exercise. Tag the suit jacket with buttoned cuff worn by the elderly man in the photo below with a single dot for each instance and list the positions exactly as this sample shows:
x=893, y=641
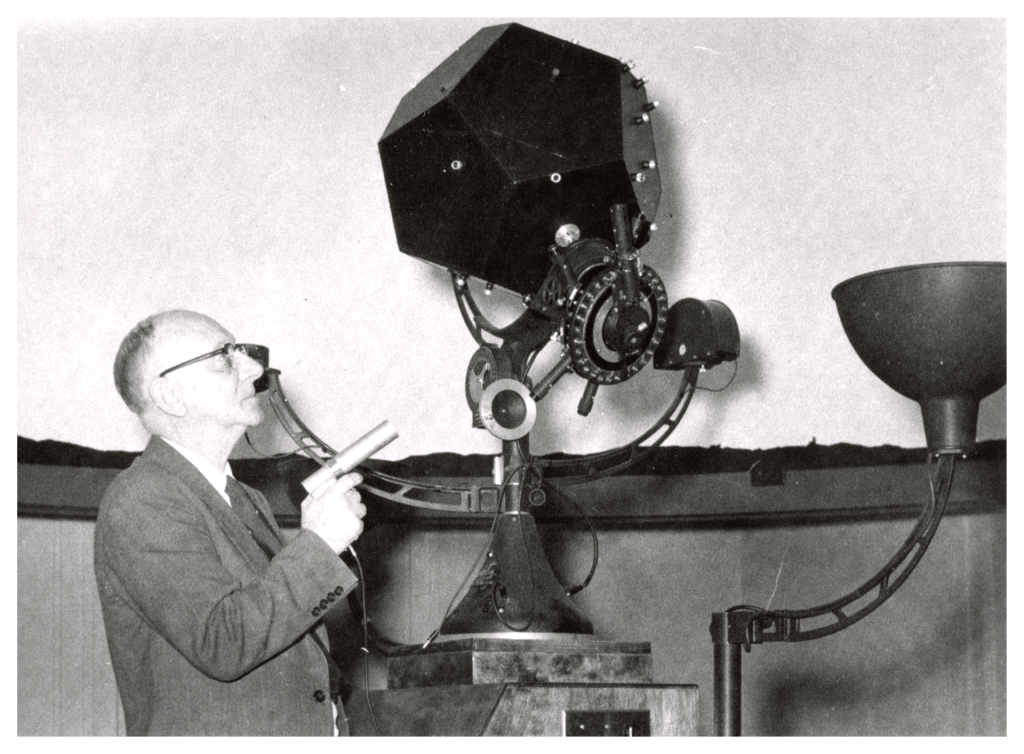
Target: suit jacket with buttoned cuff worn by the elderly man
x=208, y=637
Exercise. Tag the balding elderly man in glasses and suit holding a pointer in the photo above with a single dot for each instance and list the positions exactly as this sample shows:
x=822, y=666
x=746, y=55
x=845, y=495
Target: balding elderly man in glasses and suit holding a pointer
x=214, y=618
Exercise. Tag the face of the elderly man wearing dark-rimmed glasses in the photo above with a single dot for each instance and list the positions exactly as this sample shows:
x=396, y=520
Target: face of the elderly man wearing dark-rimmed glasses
x=218, y=392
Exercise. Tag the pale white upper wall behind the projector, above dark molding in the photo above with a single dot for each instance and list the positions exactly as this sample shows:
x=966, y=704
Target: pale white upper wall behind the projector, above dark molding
x=231, y=166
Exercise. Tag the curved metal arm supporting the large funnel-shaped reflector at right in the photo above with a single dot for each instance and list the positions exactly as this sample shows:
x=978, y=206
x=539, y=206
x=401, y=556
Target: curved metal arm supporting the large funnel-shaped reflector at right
x=754, y=625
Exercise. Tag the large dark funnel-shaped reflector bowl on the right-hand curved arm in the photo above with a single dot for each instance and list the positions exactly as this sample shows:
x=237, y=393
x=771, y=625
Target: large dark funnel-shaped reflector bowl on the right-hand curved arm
x=934, y=333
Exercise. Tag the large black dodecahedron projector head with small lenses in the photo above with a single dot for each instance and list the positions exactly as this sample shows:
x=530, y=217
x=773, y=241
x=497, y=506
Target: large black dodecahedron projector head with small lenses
x=515, y=136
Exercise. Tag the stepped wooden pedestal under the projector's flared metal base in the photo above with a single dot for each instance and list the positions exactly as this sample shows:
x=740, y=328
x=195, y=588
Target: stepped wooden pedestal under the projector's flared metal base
x=500, y=687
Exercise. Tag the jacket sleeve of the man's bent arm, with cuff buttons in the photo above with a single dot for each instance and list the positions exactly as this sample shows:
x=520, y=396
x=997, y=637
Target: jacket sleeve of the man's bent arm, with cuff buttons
x=166, y=558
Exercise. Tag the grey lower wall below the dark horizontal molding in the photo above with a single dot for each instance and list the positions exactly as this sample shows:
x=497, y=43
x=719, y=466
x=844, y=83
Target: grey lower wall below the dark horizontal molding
x=930, y=661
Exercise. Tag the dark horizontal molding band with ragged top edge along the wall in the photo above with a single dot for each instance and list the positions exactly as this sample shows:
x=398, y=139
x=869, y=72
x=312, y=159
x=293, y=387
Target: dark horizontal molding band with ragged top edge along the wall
x=675, y=487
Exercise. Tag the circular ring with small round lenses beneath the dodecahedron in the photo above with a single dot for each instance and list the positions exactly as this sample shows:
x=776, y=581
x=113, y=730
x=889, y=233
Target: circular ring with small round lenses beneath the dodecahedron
x=593, y=358
